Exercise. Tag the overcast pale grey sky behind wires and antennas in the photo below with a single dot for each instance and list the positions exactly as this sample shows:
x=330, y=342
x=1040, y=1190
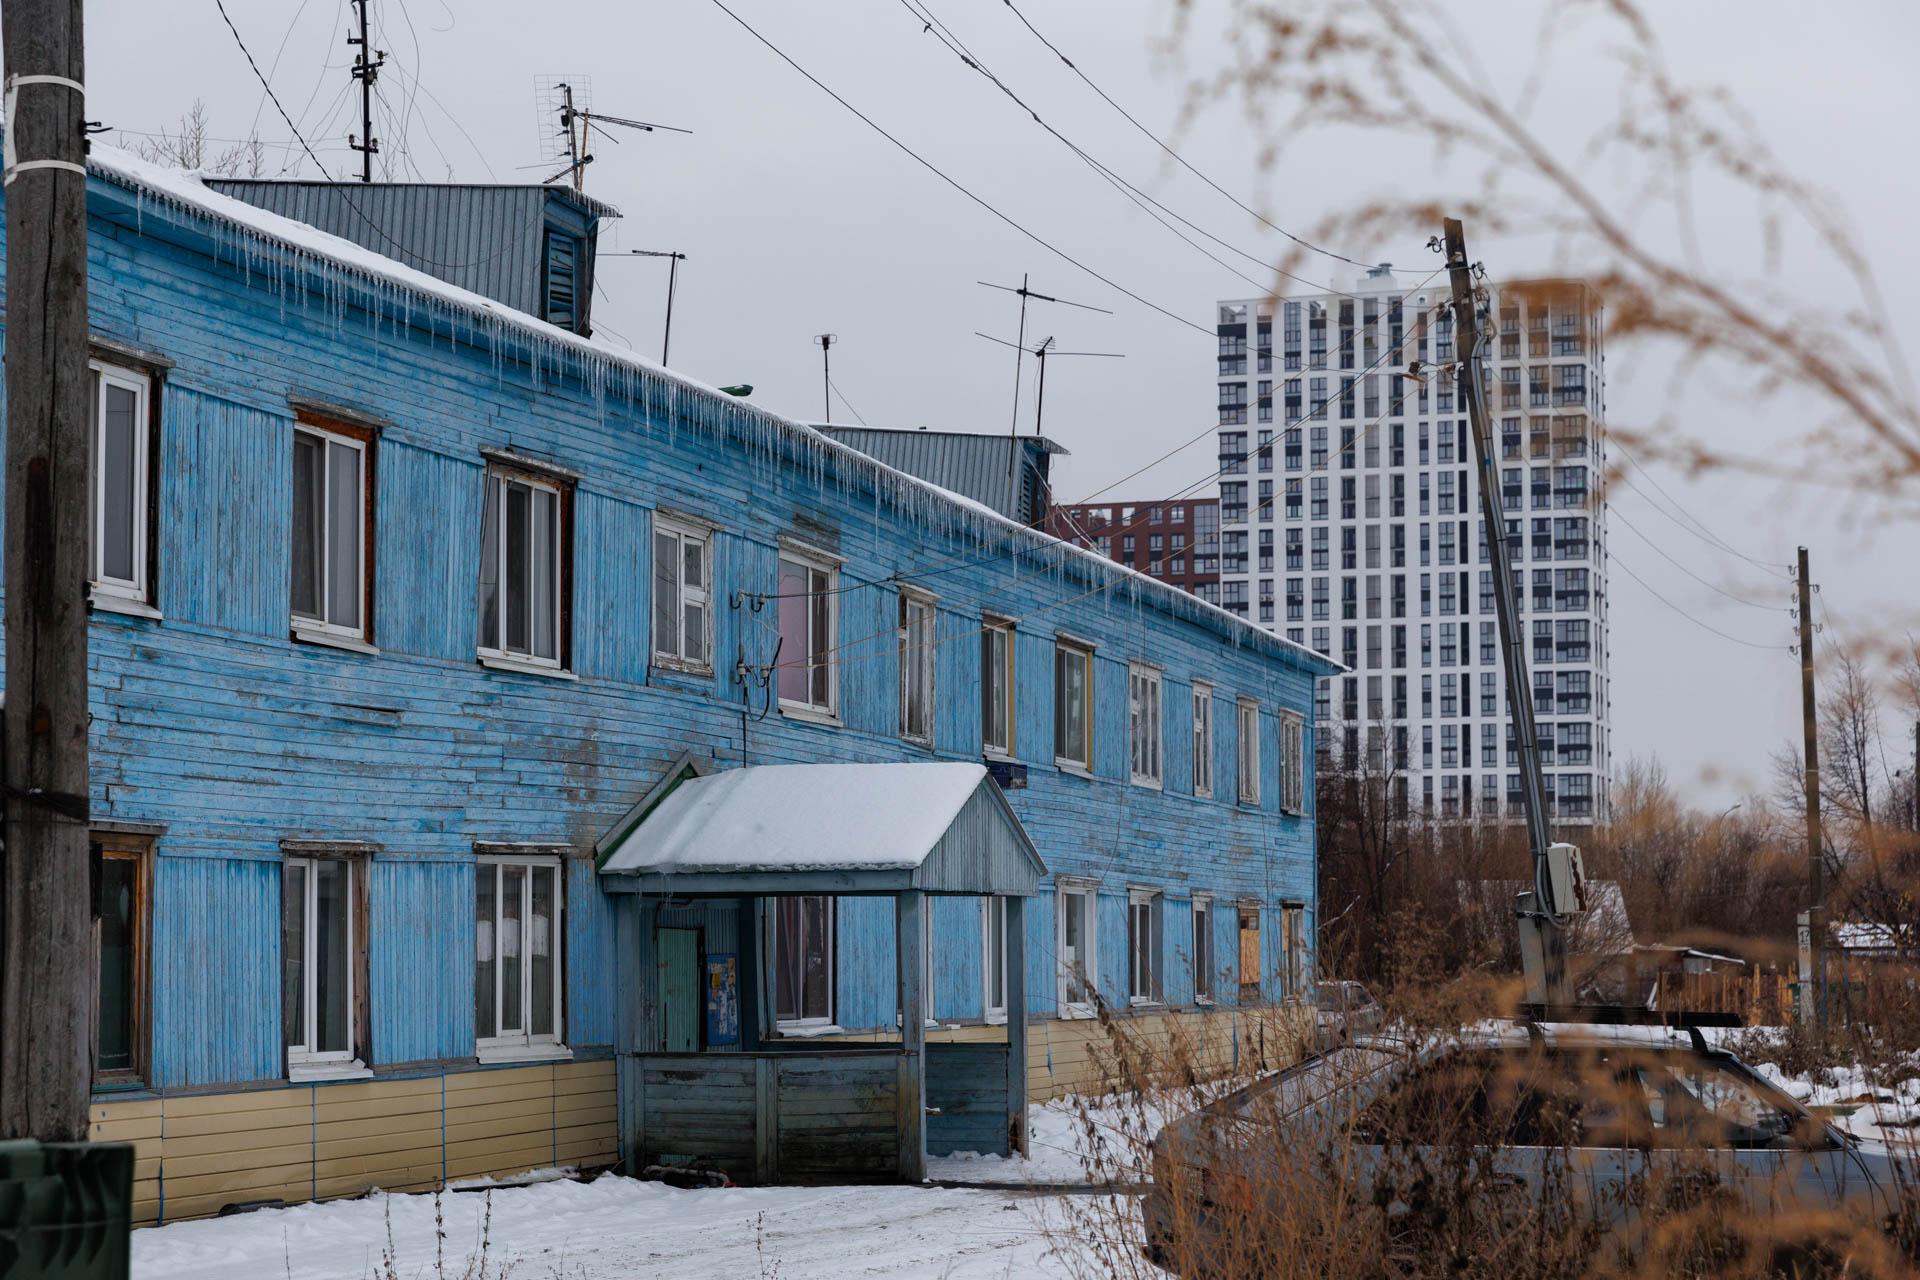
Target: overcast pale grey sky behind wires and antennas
x=798, y=220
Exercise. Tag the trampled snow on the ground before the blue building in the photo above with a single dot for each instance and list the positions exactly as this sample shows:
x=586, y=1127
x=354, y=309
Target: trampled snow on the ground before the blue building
x=619, y=1227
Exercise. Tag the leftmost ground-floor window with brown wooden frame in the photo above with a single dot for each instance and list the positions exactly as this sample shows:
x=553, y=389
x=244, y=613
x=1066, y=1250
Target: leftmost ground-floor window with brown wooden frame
x=124, y=876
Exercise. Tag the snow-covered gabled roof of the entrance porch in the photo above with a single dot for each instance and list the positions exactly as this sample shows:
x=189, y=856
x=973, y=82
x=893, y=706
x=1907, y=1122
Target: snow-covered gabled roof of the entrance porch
x=938, y=828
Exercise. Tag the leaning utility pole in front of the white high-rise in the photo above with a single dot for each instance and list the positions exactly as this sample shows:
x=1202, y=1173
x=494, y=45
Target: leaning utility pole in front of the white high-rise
x=1541, y=911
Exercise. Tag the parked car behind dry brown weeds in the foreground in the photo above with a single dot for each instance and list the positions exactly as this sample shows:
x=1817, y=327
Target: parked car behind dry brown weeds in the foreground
x=1554, y=1114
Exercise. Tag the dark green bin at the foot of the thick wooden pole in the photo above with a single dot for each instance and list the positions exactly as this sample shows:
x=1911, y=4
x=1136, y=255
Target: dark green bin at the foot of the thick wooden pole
x=66, y=1210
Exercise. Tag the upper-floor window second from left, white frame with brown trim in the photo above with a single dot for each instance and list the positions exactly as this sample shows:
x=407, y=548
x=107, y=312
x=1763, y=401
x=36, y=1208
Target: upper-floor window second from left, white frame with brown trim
x=333, y=554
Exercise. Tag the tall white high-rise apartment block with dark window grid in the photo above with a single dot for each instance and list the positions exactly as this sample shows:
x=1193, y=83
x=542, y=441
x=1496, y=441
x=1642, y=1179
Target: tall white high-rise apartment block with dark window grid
x=1351, y=521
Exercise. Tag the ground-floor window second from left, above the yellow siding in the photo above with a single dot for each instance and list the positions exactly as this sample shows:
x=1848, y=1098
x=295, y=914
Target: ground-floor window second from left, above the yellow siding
x=324, y=960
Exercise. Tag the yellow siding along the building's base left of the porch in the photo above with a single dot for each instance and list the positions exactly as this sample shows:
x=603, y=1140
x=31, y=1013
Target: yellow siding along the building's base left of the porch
x=203, y=1152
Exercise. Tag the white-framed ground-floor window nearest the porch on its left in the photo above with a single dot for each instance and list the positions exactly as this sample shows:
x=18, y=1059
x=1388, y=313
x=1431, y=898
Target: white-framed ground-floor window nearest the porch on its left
x=517, y=955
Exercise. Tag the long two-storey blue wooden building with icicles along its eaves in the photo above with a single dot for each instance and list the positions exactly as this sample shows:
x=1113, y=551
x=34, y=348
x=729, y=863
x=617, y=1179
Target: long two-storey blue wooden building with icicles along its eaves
x=412, y=611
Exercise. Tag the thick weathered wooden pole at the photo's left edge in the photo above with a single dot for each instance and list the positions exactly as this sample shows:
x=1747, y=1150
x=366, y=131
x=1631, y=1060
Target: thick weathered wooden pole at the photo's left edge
x=47, y=964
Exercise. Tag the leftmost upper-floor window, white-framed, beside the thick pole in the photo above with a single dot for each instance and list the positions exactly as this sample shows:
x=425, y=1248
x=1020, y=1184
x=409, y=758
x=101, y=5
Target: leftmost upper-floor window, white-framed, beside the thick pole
x=122, y=481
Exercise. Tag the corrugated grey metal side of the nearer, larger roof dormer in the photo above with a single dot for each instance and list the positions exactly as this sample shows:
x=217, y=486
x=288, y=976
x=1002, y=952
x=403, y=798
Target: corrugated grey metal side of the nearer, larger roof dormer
x=483, y=239
